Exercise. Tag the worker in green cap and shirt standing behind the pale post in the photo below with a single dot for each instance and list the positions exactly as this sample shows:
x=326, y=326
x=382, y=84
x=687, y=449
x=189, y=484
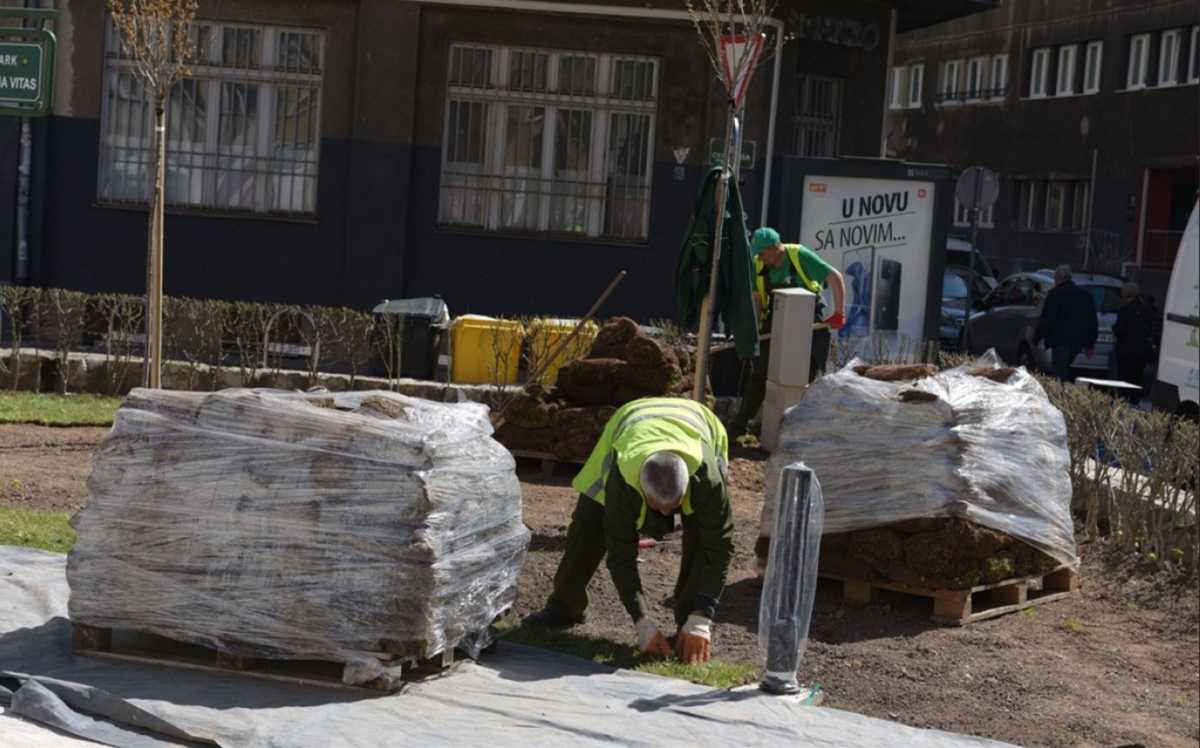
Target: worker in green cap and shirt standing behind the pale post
x=788, y=266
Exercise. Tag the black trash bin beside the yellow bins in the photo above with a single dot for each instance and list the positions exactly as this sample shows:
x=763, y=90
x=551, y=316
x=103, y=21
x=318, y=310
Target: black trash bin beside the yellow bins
x=418, y=326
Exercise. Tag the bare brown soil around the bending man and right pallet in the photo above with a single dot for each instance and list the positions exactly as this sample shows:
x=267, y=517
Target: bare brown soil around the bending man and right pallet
x=1117, y=665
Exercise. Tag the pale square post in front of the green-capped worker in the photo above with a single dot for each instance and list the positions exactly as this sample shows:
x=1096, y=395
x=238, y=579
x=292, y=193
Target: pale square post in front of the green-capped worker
x=788, y=370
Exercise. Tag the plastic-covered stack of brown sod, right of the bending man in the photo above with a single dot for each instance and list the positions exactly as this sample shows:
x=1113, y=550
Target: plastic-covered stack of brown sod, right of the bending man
x=951, y=481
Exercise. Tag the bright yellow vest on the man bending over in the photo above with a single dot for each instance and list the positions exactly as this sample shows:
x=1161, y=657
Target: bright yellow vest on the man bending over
x=640, y=429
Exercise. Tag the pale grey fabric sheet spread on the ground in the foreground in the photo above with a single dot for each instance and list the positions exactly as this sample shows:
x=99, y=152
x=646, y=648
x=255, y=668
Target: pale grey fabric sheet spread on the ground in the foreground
x=519, y=697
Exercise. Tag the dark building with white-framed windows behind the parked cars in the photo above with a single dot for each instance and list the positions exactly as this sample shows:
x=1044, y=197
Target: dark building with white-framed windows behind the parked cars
x=1089, y=111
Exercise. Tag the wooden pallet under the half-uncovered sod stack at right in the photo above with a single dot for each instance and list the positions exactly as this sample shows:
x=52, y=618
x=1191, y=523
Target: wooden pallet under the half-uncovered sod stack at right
x=963, y=607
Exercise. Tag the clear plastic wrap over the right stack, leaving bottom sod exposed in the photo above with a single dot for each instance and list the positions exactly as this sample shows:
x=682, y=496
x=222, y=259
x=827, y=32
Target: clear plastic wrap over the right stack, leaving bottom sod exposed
x=992, y=453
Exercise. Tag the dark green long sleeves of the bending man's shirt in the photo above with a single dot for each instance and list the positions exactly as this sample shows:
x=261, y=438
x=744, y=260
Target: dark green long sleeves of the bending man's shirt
x=709, y=541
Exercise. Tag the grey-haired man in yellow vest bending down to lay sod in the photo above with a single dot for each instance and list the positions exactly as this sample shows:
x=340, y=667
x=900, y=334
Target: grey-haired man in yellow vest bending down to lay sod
x=657, y=457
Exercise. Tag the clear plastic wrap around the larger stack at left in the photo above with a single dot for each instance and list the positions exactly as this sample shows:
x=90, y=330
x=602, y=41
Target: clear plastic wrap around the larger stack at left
x=299, y=526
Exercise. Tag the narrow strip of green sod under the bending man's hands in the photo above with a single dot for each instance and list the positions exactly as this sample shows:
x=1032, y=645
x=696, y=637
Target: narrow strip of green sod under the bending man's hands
x=716, y=674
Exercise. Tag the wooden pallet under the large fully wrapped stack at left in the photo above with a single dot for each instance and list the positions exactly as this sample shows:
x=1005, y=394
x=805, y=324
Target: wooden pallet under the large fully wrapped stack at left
x=153, y=650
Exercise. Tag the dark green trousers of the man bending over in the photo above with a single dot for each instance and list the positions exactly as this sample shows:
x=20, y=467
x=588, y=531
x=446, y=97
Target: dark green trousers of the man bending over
x=586, y=547
